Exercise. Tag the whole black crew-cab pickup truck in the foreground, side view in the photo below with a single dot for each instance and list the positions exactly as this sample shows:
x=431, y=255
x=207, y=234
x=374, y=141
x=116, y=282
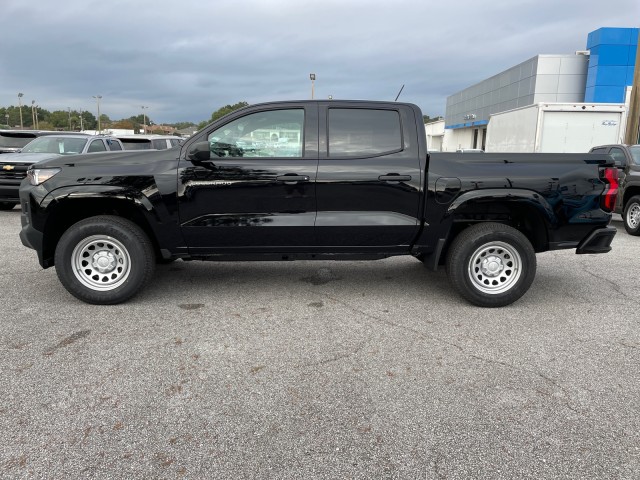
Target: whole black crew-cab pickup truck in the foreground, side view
x=324, y=180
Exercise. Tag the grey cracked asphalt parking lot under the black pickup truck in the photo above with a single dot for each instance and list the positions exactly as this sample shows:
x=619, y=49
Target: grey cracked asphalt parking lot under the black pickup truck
x=321, y=370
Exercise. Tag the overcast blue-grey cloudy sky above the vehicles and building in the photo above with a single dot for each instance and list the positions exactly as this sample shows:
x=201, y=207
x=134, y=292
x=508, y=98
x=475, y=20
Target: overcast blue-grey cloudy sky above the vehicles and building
x=185, y=59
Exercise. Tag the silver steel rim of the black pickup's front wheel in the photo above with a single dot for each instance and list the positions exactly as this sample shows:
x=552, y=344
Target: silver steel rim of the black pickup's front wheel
x=101, y=263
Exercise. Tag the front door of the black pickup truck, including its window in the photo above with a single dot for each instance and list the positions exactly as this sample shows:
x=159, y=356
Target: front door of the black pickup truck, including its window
x=256, y=193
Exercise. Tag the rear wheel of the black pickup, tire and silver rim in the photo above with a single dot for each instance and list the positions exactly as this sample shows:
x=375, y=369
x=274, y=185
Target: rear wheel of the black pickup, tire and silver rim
x=491, y=264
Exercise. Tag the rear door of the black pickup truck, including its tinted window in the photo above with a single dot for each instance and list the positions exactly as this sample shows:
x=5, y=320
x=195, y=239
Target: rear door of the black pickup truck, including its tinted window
x=369, y=177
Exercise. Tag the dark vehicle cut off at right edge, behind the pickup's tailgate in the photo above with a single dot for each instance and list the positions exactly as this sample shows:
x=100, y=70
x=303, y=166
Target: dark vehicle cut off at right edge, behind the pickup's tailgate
x=627, y=159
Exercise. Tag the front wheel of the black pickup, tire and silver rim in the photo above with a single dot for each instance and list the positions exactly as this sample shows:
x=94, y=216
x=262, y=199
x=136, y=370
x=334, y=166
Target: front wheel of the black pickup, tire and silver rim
x=121, y=254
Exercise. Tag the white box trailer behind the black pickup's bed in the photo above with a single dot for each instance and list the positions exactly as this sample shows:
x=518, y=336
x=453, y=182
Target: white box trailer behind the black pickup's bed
x=556, y=127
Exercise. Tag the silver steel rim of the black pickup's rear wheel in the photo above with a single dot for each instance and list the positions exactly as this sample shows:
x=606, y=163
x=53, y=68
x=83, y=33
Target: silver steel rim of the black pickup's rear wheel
x=495, y=268
